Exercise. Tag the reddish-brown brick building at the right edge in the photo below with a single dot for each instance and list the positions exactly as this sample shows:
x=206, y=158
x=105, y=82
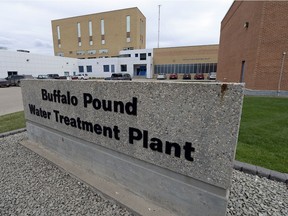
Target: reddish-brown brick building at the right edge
x=254, y=44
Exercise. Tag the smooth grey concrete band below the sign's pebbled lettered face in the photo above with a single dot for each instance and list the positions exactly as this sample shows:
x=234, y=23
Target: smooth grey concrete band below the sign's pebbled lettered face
x=181, y=195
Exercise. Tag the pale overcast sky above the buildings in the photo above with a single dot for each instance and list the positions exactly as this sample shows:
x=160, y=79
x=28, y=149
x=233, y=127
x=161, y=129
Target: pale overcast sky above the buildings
x=26, y=24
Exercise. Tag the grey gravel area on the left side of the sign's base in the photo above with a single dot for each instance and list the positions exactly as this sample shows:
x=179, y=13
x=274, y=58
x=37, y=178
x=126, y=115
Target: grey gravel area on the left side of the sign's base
x=31, y=185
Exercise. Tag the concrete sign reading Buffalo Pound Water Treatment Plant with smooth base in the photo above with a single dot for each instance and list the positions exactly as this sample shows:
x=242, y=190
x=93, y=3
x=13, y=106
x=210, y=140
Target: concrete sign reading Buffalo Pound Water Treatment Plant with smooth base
x=182, y=135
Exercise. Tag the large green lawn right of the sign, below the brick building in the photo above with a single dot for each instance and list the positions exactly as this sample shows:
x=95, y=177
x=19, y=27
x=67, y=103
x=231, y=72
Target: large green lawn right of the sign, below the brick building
x=263, y=136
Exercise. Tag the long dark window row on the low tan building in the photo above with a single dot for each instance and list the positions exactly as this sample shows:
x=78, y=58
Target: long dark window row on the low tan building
x=185, y=68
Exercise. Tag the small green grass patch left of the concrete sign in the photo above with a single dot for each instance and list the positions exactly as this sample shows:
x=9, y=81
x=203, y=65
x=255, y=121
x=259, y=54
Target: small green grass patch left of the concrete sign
x=12, y=121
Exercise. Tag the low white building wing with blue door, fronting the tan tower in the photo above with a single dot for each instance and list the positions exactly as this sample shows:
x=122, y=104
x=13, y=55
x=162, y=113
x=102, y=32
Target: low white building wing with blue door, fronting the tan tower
x=135, y=62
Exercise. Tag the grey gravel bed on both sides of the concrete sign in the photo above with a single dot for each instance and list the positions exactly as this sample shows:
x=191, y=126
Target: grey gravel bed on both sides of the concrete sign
x=31, y=185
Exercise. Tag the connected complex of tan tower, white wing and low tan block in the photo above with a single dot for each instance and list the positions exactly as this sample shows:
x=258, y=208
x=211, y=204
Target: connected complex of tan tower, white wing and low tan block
x=100, y=44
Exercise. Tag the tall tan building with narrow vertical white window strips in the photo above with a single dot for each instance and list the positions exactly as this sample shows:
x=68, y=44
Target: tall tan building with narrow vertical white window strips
x=99, y=35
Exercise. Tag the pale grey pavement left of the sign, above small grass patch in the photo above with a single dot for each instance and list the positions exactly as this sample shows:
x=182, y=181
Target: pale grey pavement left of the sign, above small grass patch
x=10, y=100
